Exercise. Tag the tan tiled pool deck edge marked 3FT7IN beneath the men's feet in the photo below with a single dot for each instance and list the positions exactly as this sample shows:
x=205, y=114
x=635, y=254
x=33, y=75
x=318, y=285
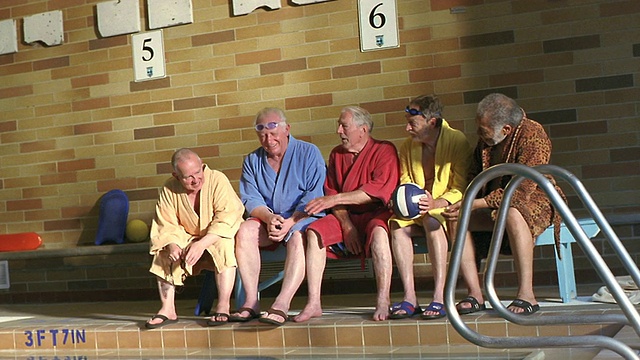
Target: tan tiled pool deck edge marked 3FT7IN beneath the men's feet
x=115, y=330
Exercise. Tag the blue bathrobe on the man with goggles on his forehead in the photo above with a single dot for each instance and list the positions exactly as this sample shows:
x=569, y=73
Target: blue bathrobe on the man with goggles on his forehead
x=300, y=180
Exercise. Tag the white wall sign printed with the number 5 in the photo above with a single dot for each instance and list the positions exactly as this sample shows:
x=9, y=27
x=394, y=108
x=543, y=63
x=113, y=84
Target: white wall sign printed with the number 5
x=148, y=55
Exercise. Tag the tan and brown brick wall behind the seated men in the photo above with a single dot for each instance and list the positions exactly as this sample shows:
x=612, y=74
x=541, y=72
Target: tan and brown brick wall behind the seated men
x=74, y=125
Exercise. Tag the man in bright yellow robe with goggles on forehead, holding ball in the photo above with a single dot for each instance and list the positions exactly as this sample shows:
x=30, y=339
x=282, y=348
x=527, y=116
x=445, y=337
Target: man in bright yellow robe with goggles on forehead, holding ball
x=437, y=158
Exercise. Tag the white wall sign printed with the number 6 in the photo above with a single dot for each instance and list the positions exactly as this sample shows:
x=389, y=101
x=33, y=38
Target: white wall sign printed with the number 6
x=378, y=24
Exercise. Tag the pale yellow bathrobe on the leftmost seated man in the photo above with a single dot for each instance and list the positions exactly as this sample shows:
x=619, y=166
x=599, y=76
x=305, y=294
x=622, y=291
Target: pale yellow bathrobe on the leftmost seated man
x=176, y=222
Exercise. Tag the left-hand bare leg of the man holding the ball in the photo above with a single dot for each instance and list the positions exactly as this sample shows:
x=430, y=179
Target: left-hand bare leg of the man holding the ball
x=403, y=254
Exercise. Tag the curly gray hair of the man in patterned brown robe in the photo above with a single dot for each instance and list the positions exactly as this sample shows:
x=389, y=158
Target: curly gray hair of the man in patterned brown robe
x=501, y=110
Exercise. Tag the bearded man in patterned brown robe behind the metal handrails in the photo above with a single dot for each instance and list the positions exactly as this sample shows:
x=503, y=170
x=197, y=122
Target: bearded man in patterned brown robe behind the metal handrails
x=506, y=135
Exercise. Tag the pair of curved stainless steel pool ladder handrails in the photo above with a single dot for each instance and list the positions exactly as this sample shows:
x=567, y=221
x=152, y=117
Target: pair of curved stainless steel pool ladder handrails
x=521, y=172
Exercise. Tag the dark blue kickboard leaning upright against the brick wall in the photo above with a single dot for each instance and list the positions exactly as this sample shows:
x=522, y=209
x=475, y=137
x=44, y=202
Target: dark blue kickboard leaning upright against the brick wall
x=112, y=220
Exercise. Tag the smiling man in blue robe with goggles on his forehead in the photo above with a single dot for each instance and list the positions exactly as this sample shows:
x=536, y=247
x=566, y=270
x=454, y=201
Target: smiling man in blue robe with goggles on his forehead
x=278, y=180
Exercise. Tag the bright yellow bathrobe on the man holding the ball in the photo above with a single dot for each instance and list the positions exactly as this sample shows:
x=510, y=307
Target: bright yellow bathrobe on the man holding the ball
x=452, y=166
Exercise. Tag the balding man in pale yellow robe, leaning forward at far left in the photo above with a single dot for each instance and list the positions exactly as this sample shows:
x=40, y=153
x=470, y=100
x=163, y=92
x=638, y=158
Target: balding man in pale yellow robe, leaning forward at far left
x=197, y=217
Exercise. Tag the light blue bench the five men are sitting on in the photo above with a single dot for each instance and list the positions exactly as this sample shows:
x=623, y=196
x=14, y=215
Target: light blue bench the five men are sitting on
x=565, y=269
